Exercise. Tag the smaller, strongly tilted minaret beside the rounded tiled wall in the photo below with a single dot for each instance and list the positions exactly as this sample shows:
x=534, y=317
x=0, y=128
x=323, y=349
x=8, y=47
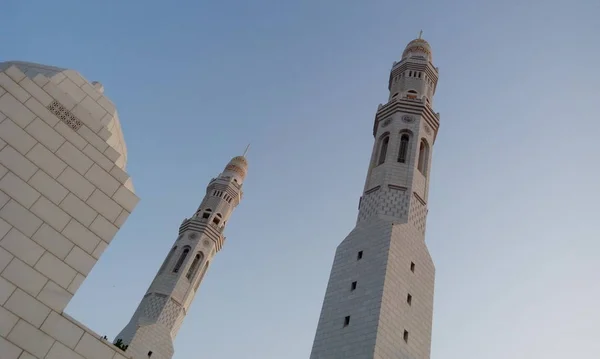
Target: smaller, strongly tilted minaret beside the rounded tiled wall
x=154, y=325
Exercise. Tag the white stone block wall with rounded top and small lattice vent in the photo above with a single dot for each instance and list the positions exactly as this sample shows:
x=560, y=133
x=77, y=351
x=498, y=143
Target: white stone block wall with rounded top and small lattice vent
x=64, y=194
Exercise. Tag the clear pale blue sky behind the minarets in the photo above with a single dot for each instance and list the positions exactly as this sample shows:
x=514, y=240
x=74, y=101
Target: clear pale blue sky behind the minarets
x=513, y=211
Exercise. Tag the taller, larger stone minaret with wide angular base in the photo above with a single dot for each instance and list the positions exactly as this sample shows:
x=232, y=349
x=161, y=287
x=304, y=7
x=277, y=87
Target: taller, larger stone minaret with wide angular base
x=379, y=299
